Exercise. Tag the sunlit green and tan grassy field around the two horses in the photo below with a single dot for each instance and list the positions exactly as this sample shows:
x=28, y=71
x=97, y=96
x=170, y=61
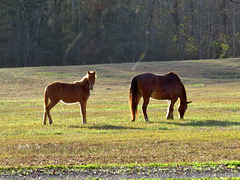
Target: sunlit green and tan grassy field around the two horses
x=209, y=132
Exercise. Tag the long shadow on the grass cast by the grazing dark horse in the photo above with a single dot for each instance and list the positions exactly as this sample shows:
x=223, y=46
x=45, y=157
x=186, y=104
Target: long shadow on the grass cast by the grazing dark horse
x=208, y=123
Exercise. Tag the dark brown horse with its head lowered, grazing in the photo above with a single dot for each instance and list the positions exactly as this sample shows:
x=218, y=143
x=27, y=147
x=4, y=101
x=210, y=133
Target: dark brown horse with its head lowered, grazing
x=168, y=87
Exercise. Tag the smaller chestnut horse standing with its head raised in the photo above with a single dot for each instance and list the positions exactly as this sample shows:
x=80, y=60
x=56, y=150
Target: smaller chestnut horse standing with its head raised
x=79, y=91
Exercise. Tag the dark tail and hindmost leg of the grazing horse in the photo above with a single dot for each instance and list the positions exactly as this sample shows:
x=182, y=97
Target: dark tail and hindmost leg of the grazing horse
x=133, y=98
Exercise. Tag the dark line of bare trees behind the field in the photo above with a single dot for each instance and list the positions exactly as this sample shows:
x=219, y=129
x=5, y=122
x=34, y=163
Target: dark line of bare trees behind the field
x=70, y=32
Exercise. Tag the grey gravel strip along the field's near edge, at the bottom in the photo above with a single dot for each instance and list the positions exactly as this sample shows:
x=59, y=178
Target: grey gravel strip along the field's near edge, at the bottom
x=123, y=173
